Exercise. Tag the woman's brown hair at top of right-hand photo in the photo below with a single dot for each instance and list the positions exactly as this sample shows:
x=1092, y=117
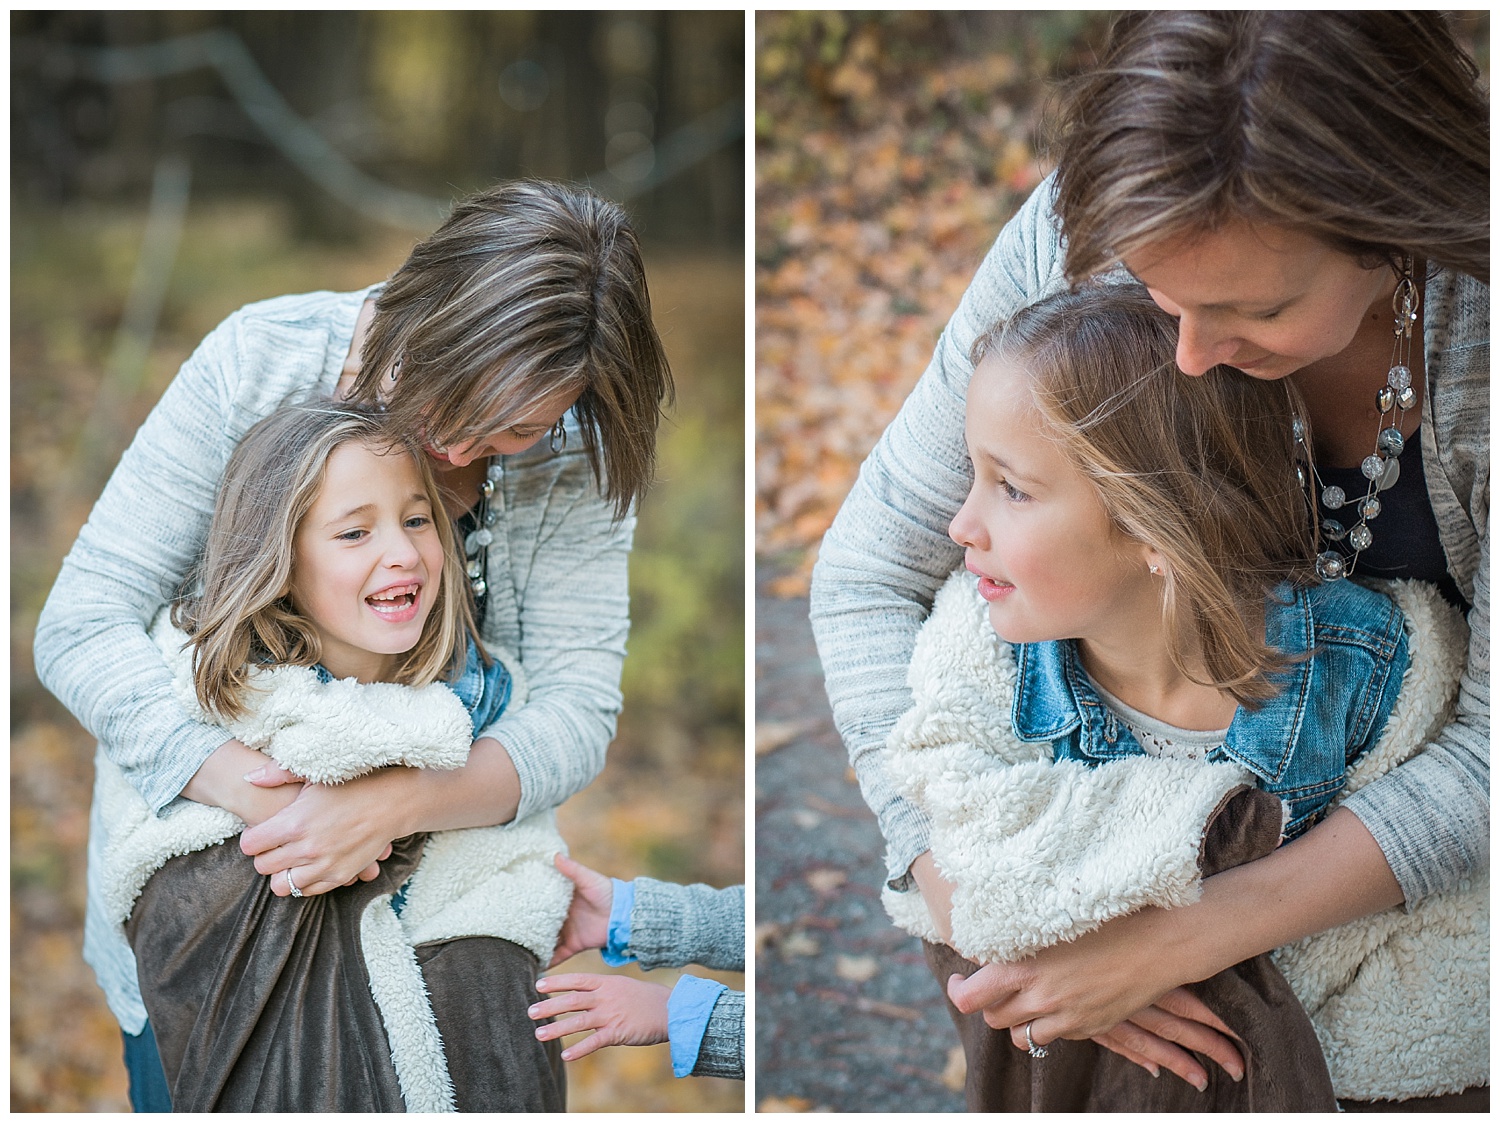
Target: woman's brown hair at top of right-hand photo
x=1366, y=130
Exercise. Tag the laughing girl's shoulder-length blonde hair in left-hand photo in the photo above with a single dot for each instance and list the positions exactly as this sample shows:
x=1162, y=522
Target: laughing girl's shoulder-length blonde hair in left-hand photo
x=241, y=614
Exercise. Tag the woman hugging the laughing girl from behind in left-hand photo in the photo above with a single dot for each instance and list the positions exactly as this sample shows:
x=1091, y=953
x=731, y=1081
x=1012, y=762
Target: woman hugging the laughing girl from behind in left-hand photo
x=529, y=307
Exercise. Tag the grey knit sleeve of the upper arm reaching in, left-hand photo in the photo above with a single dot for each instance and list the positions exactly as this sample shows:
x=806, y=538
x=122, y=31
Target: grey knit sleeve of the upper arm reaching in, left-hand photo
x=673, y=926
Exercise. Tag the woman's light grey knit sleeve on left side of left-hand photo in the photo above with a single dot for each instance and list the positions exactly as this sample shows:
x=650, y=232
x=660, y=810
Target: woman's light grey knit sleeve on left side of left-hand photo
x=148, y=529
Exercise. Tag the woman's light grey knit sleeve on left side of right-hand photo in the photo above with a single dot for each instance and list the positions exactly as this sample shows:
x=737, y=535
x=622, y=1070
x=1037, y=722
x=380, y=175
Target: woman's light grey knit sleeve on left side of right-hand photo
x=889, y=550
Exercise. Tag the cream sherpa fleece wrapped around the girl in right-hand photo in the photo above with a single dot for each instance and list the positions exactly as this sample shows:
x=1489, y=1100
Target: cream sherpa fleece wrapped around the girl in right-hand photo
x=1043, y=852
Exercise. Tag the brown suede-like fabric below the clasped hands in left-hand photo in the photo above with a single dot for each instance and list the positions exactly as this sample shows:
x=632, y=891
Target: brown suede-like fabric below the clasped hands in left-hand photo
x=263, y=1004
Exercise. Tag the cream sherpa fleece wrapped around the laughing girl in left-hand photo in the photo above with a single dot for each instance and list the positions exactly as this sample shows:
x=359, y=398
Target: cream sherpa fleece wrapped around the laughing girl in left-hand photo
x=494, y=881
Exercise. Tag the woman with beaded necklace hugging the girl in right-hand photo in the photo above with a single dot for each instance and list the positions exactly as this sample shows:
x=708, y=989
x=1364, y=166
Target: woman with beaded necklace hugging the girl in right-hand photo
x=1268, y=176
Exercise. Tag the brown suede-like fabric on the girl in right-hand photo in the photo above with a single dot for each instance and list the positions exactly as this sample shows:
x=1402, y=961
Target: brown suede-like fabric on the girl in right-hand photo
x=1285, y=1068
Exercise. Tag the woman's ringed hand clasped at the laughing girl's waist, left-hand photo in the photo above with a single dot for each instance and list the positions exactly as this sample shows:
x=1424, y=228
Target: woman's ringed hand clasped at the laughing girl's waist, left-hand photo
x=331, y=836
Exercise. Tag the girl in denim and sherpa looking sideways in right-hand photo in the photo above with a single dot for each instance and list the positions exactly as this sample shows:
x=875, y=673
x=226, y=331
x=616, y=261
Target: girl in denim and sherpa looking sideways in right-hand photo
x=1139, y=544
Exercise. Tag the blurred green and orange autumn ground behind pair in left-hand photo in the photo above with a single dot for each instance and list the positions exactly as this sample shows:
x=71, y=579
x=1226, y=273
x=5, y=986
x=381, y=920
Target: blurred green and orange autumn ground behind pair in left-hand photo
x=671, y=801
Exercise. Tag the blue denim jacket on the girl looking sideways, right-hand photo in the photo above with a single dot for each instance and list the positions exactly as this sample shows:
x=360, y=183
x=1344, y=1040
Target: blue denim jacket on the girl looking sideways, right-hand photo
x=1333, y=707
